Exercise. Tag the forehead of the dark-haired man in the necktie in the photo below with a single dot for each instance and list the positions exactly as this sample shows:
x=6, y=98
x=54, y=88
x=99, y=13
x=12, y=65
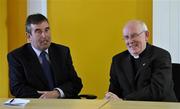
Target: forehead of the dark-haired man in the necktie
x=41, y=25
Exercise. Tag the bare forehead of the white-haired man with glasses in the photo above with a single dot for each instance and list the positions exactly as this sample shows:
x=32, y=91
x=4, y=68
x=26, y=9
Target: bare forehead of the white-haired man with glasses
x=132, y=27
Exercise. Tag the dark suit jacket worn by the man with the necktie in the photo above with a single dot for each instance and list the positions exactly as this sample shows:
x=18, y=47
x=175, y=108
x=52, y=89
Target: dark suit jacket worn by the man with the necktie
x=26, y=75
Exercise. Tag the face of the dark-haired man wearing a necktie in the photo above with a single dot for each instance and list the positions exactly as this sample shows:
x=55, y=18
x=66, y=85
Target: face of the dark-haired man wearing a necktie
x=40, y=36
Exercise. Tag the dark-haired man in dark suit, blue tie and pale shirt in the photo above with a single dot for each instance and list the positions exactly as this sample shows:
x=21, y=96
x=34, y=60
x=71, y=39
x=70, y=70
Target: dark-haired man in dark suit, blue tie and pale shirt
x=42, y=69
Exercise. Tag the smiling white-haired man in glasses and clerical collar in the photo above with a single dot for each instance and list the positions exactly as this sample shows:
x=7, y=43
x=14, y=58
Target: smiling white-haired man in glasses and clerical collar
x=144, y=71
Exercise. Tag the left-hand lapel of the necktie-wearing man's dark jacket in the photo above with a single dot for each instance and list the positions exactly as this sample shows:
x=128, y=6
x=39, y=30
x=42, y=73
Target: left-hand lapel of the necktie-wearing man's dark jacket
x=35, y=66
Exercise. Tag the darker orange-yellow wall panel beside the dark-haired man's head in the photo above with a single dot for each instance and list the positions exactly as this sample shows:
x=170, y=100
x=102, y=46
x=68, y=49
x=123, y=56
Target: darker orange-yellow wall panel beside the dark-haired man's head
x=16, y=23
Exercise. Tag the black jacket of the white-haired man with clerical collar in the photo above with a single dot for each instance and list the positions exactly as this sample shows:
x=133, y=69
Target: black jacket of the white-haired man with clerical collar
x=153, y=80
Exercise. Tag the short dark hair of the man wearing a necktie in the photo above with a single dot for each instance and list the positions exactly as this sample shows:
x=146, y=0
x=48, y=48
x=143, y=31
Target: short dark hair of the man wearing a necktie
x=34, y=19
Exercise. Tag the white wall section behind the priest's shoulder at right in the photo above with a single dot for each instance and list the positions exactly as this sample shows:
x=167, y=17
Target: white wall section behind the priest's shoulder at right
x=166, y=26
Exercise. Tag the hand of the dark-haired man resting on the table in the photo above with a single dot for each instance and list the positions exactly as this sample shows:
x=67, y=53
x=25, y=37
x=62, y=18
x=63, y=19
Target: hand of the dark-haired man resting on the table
x=49, y=94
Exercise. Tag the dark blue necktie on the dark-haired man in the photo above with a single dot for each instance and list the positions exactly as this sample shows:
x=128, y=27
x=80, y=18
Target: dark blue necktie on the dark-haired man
x=47, y=70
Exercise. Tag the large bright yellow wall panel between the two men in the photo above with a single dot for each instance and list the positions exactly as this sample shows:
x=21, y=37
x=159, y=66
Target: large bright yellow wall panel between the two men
x=93, y=31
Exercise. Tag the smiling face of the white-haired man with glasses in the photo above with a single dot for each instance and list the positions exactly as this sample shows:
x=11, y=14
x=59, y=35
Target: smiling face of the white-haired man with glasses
x=135, y=38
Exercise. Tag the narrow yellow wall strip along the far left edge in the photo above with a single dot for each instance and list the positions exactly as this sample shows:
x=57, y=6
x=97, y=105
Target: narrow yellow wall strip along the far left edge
x=3, y=50
